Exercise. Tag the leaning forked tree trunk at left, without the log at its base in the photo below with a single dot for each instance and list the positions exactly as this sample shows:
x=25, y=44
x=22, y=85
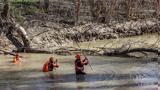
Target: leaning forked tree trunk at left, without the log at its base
x=11, y=27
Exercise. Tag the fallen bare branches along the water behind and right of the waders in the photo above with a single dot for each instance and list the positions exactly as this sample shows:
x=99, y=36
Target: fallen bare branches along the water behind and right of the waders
x=108, y=51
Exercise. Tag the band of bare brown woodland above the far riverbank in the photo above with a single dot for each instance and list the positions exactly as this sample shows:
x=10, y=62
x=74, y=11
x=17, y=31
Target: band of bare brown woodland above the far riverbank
x=83, y=11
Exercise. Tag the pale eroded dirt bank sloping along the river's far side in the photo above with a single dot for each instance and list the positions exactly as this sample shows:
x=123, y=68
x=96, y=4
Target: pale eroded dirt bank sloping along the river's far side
x=46, y=38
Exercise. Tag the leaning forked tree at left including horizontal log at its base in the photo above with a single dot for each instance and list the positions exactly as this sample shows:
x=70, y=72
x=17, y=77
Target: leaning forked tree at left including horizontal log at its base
x=10, y=27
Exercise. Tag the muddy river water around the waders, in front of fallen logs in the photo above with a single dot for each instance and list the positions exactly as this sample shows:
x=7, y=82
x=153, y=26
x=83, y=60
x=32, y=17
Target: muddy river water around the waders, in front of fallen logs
x=109, y=73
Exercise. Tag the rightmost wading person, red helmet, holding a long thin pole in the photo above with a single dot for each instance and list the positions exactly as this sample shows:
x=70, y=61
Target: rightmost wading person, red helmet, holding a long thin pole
x=79, y=64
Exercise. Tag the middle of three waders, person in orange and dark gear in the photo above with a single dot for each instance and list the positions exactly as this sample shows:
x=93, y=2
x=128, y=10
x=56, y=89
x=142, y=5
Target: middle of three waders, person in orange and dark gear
x=50, y=65
